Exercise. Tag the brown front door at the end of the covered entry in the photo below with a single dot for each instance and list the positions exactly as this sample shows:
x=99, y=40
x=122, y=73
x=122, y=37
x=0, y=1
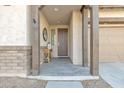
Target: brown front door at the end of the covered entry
x=62, y=42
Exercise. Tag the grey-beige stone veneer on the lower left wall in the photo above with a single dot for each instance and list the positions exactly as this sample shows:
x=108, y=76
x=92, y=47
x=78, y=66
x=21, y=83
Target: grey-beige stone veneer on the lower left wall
x=15, y=60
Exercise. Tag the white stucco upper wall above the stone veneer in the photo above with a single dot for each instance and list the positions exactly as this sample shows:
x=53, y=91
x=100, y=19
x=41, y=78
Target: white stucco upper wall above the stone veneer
x=13, y=27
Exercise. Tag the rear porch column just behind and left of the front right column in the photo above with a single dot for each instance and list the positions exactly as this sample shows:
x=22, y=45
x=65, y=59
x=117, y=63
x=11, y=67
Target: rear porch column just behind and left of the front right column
x=84, y=12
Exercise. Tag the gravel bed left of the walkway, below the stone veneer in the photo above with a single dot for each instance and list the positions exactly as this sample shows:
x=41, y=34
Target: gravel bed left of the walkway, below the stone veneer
x=17, y=82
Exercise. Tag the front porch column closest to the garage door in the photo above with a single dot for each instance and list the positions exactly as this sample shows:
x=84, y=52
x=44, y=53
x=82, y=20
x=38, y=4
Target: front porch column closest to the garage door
x=94, y=40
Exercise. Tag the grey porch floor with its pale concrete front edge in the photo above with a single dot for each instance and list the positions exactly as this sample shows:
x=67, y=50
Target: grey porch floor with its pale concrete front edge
x=63, y=69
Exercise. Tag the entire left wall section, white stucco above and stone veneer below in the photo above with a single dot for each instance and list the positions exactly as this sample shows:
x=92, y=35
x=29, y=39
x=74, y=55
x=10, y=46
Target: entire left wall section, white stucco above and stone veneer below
x=15, y=40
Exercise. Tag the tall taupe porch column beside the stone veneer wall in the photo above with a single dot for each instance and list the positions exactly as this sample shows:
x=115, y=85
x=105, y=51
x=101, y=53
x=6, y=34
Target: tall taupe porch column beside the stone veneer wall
x=35, y=41
